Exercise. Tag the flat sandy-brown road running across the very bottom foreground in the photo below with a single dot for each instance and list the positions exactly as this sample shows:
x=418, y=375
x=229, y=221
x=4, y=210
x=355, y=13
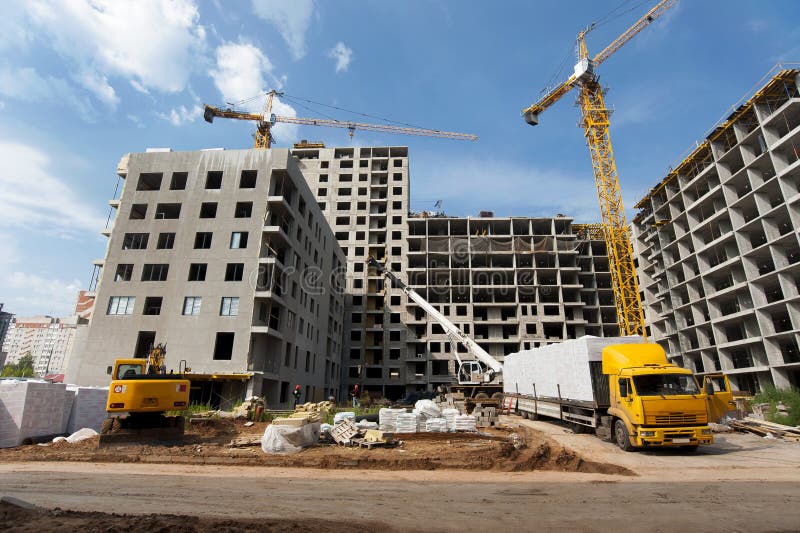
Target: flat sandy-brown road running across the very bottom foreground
x=416, y=500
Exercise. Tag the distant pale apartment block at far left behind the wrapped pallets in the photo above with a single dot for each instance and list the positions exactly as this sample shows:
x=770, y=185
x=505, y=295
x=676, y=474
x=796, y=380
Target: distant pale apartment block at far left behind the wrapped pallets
x=48, y=340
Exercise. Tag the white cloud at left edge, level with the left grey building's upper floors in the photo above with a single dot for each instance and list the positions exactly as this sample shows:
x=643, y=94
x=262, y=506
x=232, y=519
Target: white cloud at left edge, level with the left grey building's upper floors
x=33, y=197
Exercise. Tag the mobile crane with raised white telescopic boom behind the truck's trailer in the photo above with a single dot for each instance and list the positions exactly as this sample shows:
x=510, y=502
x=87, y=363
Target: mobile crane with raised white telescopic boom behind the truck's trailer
x=480, y=377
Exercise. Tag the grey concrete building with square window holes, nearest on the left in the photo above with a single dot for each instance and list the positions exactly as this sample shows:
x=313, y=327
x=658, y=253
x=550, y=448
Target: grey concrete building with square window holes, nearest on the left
x=226, y=257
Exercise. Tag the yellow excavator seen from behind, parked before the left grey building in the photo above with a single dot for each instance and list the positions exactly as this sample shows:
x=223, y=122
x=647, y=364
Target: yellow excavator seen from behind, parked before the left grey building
x=140, y=395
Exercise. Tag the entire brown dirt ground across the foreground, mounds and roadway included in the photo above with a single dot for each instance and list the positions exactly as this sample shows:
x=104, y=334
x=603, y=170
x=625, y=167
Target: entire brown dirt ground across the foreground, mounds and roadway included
x=741, y=483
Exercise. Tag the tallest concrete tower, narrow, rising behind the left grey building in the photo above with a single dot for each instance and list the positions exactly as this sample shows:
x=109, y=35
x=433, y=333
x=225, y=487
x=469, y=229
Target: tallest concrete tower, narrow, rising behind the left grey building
x=363, y=193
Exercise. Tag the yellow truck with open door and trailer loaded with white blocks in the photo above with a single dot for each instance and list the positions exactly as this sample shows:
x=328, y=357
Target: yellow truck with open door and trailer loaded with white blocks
x=622, y=388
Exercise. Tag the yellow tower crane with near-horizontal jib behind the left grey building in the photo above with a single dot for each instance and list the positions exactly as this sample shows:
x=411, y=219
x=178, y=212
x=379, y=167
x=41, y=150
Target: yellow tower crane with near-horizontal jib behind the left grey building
x=267, y=119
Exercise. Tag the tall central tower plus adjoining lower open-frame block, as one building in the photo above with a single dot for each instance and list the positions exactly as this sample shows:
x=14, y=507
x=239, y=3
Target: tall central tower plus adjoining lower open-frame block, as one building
x=511, y=283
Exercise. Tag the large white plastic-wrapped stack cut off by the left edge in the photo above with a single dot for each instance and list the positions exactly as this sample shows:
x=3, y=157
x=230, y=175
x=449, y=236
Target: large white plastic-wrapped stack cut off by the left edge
x=30, y=409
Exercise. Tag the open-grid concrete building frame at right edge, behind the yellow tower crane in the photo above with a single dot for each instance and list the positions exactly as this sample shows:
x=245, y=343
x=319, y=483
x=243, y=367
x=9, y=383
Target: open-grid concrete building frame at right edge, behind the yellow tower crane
x=717, y=245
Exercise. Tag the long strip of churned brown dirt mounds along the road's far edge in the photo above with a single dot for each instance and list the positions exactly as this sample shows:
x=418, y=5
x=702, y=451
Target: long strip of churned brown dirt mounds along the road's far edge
x=516, y=449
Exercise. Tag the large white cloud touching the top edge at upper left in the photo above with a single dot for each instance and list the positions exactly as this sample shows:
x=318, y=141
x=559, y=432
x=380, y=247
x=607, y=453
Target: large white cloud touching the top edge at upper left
x=154, y=43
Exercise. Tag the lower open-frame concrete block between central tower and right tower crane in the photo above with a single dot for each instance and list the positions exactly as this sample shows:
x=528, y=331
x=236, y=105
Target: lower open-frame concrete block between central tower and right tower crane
x=511, y=283
